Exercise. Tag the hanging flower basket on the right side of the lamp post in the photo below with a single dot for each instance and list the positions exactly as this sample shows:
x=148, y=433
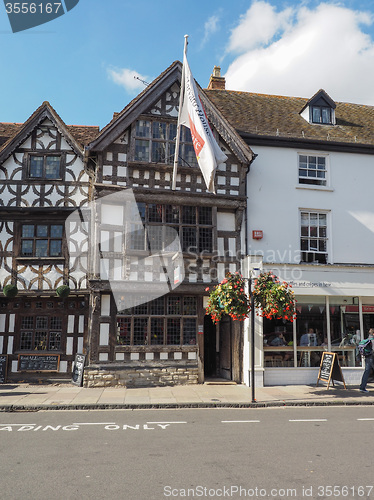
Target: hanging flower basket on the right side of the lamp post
x=275, y=298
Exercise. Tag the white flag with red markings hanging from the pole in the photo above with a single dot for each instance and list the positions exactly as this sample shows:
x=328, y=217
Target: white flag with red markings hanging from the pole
x=192, y=115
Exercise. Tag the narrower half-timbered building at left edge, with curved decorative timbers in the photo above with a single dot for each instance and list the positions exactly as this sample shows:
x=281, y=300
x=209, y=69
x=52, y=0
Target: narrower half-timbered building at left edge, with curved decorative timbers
x=42, y=180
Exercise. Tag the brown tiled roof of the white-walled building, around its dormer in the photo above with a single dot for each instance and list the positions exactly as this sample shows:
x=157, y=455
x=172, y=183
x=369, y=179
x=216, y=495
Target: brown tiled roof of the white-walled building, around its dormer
x=279, y=116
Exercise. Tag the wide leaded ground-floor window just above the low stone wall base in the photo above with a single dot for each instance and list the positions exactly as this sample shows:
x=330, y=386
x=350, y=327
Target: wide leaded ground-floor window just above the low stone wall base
x=147, y=324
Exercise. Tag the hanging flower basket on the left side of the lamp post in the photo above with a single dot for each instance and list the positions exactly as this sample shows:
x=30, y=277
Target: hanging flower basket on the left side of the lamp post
x=229, y=298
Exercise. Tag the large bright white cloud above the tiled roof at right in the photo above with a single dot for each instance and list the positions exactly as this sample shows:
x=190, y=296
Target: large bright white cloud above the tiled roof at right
x=298, y=52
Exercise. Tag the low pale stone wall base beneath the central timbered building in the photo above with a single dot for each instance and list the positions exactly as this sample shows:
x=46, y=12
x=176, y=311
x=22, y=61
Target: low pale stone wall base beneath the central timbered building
x=139, y=376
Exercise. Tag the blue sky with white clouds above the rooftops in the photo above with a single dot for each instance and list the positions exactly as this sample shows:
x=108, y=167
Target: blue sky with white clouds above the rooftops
x=83, y=63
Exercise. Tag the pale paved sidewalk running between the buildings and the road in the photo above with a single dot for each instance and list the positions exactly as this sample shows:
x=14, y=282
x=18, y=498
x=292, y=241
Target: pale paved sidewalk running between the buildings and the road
x=66, y=396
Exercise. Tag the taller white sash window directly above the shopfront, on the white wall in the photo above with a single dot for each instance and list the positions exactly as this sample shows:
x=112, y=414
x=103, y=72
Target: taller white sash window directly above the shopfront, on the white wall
x=308, y=238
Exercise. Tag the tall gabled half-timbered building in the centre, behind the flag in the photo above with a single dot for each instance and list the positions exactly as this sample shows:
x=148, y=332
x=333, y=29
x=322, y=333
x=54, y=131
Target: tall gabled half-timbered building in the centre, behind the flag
x=162, y=341
